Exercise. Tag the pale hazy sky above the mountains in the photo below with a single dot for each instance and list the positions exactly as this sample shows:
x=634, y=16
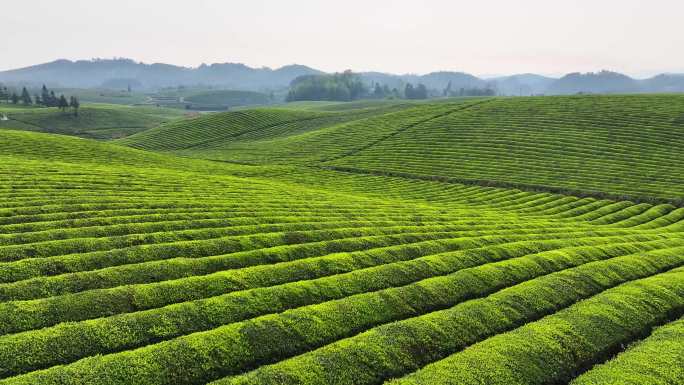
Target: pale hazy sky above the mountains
x=638, y=37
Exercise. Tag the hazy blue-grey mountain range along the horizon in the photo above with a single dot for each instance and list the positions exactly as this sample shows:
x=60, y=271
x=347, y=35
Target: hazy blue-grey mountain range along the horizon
x=120, y=73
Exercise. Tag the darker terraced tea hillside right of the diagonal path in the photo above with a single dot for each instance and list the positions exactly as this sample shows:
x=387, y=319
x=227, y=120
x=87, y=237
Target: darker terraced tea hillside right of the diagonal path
x=631, y=145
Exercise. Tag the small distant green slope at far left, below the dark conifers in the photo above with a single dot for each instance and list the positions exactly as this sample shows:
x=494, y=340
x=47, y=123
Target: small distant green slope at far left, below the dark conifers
x=96, y=121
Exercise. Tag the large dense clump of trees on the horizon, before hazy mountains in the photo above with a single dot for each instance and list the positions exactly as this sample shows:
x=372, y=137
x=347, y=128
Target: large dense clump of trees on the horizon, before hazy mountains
x=344, y=86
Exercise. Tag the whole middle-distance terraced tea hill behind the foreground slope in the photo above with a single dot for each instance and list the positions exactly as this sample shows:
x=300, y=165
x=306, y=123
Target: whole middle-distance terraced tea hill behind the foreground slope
x=622, y=147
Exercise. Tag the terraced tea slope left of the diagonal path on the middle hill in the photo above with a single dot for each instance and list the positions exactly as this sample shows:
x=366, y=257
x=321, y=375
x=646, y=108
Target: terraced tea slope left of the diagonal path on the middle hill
x=287, y=136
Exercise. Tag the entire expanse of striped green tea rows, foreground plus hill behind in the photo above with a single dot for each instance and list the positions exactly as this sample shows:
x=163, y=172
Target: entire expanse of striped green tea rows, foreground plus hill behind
x=466, y=241
